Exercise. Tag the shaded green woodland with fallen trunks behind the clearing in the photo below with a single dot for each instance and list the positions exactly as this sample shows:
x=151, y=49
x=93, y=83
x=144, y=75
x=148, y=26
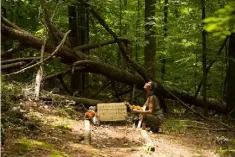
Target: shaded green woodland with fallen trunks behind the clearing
x=113, y=47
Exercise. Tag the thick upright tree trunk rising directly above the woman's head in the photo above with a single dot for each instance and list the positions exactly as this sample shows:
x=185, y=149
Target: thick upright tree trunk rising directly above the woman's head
x=150, y=38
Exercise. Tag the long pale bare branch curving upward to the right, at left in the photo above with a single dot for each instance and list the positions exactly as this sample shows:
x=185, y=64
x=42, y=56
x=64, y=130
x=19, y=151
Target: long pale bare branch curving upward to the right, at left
x=49, y=57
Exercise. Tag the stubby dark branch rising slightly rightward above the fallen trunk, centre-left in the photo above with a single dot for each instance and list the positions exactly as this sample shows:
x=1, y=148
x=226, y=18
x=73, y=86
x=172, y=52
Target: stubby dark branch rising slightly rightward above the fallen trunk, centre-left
x=97, y=45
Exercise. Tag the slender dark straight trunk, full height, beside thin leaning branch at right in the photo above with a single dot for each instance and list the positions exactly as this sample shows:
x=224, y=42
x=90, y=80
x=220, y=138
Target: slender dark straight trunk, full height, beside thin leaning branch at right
x=203, y=8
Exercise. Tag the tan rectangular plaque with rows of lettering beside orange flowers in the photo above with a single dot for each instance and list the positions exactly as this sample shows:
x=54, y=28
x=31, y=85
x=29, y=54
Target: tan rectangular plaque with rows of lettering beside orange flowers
x=112, y=111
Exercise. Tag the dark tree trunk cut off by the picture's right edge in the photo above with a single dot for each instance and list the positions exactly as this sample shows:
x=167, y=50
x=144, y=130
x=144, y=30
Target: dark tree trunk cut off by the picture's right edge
x=230, y=89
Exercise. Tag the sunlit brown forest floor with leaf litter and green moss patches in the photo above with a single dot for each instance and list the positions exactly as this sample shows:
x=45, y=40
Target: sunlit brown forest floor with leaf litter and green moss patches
x=58, y=131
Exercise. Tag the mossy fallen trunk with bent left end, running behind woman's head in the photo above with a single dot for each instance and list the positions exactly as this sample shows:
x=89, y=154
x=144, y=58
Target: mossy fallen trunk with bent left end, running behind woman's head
x=122, y=76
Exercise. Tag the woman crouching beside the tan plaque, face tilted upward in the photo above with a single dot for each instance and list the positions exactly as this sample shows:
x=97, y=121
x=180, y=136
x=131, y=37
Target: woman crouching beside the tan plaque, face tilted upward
x=153, y=115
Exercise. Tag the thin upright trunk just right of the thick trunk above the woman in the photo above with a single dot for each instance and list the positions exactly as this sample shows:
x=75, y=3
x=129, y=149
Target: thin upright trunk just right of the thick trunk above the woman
x=163, y=69
